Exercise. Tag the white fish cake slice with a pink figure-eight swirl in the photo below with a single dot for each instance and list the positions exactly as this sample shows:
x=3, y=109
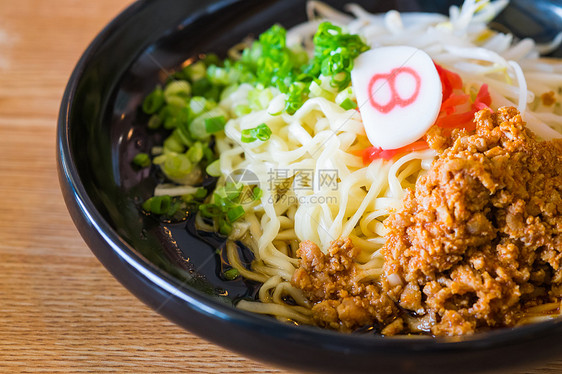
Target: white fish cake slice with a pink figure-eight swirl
x=399, y=94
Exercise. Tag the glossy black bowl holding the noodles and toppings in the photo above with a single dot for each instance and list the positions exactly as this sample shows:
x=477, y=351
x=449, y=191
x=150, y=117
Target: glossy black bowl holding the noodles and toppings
x=172, y=268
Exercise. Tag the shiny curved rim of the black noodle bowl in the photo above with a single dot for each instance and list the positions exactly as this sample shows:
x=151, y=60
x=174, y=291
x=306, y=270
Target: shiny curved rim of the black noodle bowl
x=202, y=303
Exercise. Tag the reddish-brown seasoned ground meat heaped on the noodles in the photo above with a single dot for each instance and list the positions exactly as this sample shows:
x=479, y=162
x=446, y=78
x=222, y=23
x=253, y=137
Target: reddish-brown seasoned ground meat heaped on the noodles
x=476, y=244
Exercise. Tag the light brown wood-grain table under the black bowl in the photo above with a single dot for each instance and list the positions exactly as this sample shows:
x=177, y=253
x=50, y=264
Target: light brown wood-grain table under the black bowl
x=60, y=310
